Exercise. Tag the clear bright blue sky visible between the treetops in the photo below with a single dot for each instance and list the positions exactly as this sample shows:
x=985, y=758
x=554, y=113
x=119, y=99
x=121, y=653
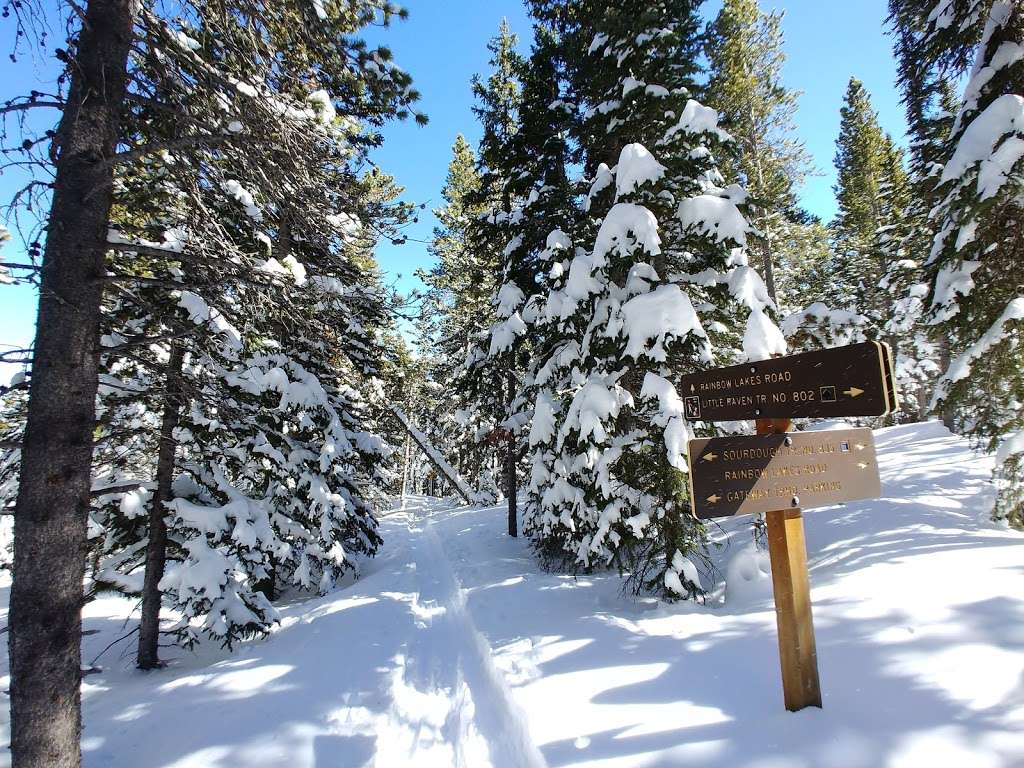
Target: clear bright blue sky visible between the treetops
x=443, y=45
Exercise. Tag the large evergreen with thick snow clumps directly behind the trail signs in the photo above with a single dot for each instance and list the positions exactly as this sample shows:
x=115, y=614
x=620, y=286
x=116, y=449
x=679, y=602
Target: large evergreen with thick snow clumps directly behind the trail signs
x=609, y=439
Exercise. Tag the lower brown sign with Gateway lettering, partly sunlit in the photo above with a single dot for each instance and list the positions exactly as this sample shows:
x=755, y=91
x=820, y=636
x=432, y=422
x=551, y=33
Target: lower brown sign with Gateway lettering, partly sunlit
x=745, y=475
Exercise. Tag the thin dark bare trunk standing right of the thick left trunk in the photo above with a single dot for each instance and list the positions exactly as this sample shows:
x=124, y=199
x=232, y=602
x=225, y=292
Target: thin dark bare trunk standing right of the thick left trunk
x=156, y=550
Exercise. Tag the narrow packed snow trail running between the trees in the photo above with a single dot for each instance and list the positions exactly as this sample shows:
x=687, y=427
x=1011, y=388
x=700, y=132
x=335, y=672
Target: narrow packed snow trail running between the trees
x=452, y=705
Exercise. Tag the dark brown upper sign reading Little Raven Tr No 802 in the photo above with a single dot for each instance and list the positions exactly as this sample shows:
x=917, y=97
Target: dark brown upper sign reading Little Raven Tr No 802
x=856, y=380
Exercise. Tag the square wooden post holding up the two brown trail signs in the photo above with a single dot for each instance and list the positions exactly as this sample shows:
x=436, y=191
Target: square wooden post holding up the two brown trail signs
x=791, y=585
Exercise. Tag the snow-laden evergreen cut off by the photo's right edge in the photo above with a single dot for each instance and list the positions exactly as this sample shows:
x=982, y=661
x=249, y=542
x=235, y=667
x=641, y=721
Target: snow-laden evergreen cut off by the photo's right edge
x=975, y=263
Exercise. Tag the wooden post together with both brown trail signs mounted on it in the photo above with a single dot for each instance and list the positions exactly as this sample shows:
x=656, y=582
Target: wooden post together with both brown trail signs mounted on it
x=779, y=473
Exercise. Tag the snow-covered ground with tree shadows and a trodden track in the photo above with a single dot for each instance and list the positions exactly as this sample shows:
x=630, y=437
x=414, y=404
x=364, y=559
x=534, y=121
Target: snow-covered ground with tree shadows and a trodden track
x=454, y=650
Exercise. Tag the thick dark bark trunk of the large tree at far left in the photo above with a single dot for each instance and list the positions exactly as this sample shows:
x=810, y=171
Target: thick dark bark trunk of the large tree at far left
x=54, y=498
